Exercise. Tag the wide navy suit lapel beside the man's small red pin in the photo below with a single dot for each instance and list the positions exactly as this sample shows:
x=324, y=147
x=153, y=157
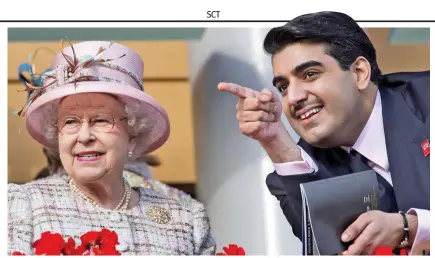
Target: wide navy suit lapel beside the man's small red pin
x=404, y=133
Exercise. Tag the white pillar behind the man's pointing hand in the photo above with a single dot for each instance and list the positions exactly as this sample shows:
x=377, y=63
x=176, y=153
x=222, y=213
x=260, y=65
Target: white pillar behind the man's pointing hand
x=231, y=167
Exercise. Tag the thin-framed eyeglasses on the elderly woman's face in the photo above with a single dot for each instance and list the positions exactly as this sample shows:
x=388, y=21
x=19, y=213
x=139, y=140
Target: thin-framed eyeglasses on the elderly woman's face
x=101, y=123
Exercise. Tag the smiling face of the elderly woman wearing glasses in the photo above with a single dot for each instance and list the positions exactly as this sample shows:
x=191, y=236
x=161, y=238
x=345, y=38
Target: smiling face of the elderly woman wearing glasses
x=91, y=153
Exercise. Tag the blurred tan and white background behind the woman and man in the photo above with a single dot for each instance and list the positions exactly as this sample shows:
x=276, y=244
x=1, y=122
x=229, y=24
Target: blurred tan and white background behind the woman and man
x=205, y=155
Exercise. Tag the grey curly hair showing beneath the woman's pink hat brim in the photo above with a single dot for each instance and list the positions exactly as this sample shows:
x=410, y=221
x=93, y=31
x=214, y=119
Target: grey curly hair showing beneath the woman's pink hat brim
x=136, y=125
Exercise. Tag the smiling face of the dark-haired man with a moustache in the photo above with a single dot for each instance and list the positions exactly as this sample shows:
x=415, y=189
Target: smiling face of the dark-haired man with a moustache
x=323, y=103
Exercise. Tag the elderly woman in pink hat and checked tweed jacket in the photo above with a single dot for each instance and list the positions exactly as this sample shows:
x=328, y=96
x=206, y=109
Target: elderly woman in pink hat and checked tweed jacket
x=92, y=109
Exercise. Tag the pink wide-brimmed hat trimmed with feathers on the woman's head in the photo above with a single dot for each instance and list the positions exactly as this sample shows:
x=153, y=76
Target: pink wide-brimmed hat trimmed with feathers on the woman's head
x=96, y=66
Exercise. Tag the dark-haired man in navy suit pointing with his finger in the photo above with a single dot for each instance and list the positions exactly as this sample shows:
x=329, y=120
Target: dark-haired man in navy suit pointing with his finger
x=350, y=117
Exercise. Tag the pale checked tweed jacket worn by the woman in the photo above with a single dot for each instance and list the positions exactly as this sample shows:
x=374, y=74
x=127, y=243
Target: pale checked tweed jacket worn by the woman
x=50, y=205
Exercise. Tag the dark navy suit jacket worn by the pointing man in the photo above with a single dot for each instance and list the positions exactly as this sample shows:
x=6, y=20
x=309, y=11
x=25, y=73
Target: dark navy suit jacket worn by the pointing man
x=405, y=109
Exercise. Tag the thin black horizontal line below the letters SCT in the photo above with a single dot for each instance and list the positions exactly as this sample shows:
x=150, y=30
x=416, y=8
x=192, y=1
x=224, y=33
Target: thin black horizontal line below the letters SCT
x=197, y=21
